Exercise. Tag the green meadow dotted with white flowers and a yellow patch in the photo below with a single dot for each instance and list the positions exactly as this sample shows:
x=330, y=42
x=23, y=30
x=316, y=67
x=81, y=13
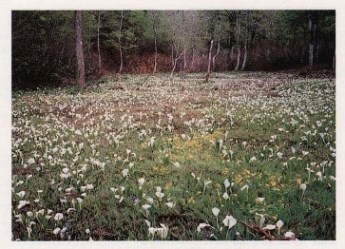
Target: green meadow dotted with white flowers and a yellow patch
x=82, y=153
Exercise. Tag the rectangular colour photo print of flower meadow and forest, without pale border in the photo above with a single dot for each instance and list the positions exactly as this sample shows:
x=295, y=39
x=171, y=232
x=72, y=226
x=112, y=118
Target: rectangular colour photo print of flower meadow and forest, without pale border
x=173, y=125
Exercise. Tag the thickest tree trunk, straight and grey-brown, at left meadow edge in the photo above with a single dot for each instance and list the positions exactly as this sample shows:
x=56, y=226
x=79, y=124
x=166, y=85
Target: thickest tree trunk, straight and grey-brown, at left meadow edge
x=79, y=49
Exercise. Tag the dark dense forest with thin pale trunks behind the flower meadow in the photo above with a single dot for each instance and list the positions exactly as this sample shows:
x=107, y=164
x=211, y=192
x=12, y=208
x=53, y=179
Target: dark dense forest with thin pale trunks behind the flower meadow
x=45, y=50
